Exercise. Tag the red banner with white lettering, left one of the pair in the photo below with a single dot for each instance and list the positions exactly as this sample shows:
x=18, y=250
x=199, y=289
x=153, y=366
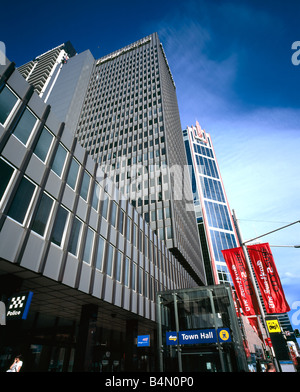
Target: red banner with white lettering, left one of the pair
x=238, y=269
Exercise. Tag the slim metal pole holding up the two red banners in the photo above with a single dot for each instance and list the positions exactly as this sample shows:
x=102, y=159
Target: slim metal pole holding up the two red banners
x=248, y=262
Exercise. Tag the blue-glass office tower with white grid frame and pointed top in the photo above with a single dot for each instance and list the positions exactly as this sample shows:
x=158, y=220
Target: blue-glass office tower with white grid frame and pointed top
x=215, y=222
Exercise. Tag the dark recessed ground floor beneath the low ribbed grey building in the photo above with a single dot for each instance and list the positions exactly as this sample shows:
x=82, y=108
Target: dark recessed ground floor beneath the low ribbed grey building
x=67, y=330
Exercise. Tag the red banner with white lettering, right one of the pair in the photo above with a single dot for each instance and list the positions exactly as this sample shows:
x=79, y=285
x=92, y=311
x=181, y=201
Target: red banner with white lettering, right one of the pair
x=268, y=278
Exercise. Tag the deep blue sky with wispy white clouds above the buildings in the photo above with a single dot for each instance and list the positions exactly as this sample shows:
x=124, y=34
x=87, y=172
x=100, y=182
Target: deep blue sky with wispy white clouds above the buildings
x=231, y=62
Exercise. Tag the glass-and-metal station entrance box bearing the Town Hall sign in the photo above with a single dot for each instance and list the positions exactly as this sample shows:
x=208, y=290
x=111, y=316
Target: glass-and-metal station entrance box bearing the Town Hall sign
x=198, y=331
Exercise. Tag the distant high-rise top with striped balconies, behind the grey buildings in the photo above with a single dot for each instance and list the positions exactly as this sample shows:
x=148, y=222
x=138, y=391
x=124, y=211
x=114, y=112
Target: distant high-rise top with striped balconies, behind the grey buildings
x=43, y=71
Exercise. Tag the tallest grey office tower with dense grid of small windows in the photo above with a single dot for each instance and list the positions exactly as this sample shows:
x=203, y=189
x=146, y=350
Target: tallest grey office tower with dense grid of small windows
x=130, y=125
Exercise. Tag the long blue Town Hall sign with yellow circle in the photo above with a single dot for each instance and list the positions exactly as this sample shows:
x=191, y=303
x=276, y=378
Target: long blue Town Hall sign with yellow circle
x=199, y=336
